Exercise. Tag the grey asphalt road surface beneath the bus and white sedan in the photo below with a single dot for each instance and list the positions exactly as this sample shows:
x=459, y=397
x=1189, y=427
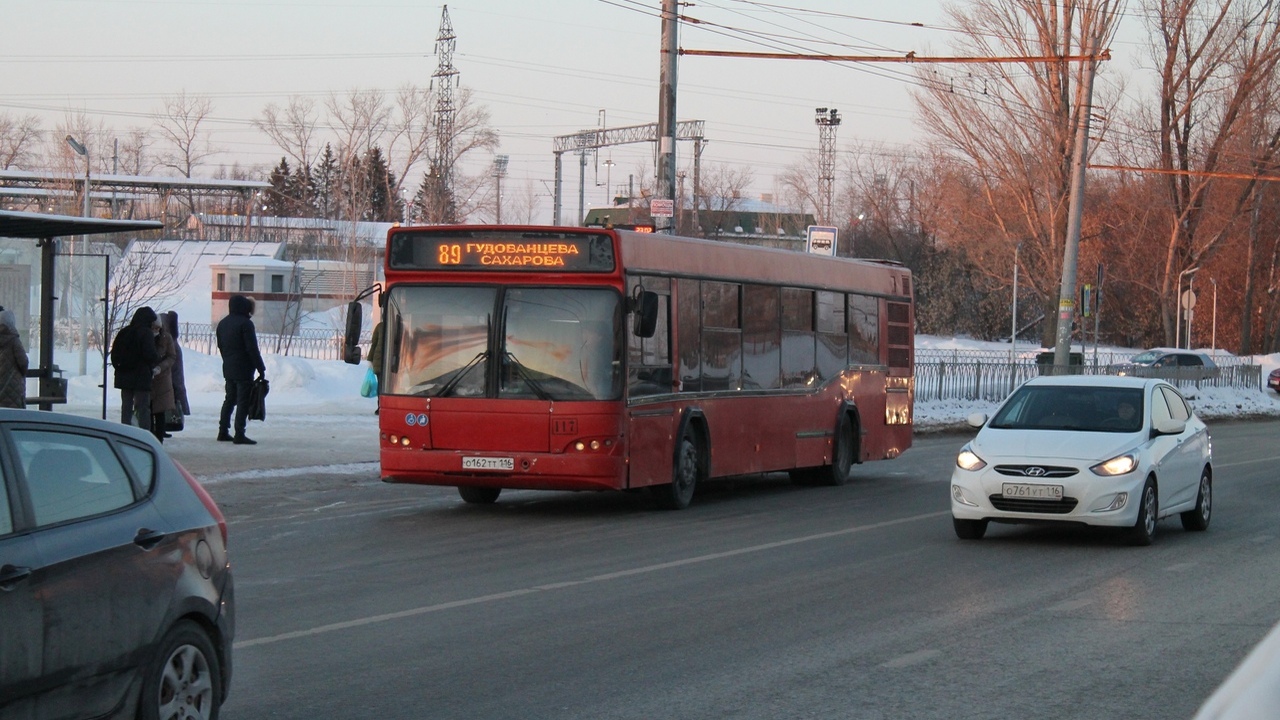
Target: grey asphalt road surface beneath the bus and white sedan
x=762, y=601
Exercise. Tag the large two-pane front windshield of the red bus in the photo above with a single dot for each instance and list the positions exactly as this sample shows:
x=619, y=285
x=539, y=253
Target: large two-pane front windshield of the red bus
x=510, y=343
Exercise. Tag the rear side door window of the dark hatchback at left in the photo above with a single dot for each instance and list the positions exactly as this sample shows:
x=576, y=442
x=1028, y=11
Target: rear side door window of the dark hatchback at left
x=71, y=476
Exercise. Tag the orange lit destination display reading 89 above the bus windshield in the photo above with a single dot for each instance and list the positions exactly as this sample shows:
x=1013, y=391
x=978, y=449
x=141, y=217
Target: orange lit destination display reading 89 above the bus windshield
x=502, y=252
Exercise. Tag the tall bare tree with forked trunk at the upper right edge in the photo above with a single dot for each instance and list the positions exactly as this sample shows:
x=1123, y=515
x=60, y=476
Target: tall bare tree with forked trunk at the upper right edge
x=1217, y=61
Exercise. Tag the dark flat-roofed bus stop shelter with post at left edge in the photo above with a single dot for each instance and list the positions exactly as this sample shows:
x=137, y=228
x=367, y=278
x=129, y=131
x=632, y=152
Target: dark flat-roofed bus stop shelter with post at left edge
x=47, y=231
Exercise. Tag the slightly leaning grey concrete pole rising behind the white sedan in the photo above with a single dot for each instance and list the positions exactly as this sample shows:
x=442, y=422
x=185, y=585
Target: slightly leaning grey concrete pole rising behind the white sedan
x=1075, y=216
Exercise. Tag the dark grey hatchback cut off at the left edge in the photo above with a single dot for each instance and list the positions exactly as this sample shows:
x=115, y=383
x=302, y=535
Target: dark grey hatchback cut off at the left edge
x=116, y=587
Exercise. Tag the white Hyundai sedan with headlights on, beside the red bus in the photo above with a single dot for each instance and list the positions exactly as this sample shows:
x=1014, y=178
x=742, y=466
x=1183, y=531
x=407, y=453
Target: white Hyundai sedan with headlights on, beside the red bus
x=1092, y=450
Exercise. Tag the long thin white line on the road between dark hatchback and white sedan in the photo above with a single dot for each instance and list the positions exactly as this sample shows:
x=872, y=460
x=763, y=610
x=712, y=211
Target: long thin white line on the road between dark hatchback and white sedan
x=601, y=578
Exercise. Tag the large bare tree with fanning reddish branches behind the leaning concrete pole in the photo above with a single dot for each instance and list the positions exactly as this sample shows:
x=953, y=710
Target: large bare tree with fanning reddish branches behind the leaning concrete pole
x=1014, y=125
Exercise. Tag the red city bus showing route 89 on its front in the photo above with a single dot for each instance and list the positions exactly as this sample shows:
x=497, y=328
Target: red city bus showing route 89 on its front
x=605, y=359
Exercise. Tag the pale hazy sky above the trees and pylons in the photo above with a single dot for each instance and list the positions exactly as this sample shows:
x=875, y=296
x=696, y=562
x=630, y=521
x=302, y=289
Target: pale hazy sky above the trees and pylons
x=543, y=69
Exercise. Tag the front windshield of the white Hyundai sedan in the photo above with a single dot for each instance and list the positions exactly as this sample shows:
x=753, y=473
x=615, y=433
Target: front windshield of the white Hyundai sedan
x=1073, y=408
